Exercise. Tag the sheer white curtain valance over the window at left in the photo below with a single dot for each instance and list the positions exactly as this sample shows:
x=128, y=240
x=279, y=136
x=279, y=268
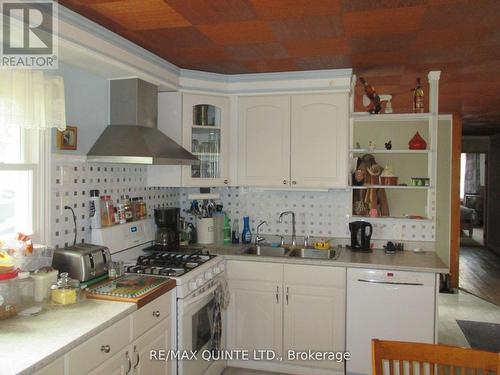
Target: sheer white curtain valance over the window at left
x=31, y=99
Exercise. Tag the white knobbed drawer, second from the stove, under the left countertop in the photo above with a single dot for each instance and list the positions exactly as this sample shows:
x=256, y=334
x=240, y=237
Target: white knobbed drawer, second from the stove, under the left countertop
x=99, y=348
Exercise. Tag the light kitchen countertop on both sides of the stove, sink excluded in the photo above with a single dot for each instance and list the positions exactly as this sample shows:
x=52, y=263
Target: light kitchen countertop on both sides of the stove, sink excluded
x=30, y=343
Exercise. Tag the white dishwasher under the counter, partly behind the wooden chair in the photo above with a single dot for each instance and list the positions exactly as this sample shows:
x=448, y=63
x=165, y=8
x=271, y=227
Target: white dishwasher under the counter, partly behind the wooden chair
x=388, y=305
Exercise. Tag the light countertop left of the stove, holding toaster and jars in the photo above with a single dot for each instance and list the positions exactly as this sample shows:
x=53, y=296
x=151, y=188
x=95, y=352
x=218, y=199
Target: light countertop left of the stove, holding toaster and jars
x=30, y=343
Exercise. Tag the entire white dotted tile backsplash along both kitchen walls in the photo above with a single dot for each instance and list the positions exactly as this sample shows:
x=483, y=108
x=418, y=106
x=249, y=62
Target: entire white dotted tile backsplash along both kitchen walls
x=318, y=213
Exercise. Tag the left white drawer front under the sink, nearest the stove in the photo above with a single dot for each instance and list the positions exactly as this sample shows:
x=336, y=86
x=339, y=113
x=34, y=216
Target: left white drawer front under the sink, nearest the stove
x=261, y=271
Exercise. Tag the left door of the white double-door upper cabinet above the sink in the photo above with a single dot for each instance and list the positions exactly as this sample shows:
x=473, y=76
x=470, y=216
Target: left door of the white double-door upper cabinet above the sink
x=264, y=141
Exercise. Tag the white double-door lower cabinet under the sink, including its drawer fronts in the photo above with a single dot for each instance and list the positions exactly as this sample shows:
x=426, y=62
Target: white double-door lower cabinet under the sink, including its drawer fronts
x=284, y=308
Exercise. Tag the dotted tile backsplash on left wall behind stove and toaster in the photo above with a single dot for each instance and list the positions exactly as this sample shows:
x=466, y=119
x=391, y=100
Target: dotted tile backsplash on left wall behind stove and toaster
x=72, y=180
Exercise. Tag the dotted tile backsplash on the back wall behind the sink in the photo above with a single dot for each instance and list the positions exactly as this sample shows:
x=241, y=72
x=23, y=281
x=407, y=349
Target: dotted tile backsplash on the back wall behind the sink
x=318, y=213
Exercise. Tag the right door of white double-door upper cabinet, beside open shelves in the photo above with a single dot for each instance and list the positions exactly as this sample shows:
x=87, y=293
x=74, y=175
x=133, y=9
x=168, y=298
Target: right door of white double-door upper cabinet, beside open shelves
x=319, y=127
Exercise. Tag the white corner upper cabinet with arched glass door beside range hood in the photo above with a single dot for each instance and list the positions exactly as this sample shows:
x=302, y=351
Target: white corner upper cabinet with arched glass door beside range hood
x=205, y=133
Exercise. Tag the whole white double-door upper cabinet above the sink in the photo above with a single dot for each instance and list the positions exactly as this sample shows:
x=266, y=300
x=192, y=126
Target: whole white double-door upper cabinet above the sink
x=297, y=141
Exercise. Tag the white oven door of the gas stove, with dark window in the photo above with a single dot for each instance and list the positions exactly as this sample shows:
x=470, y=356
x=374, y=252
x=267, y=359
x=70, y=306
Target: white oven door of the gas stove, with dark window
x=196, y=325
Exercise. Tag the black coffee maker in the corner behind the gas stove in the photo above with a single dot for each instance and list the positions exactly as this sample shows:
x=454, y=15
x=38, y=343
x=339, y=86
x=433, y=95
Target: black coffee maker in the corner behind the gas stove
x=167, y=221
